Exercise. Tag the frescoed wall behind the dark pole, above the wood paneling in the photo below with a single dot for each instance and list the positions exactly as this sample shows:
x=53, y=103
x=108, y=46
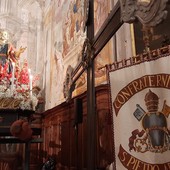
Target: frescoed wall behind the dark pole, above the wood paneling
x=68, y=37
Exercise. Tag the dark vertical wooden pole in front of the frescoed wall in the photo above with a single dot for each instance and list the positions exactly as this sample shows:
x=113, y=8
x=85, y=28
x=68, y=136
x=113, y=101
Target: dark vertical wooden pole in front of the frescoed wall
x=91, y=122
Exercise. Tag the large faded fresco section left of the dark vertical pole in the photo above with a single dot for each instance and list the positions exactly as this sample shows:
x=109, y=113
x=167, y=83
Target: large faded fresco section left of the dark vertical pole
x=67, y=38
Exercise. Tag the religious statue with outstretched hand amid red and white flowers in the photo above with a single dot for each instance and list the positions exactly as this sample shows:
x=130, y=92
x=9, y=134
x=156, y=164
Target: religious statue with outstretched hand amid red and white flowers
x=17, y=84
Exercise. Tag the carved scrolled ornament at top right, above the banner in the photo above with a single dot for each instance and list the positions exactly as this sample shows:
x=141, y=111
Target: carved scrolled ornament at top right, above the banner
x=148, y=12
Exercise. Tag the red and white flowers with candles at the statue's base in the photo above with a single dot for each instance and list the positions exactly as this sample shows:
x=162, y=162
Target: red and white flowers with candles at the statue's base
x=18, y=88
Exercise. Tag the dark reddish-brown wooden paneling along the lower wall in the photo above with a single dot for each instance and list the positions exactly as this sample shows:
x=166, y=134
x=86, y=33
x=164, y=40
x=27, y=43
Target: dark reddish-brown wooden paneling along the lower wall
x=68, y=142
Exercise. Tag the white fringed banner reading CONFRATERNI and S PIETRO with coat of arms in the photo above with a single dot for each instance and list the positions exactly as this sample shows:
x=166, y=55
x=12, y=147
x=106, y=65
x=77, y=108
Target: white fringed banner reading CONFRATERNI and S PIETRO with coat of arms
x=140, y=100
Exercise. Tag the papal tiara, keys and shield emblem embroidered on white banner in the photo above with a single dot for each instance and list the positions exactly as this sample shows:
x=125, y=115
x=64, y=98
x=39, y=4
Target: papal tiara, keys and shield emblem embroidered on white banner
x=155, y=136
